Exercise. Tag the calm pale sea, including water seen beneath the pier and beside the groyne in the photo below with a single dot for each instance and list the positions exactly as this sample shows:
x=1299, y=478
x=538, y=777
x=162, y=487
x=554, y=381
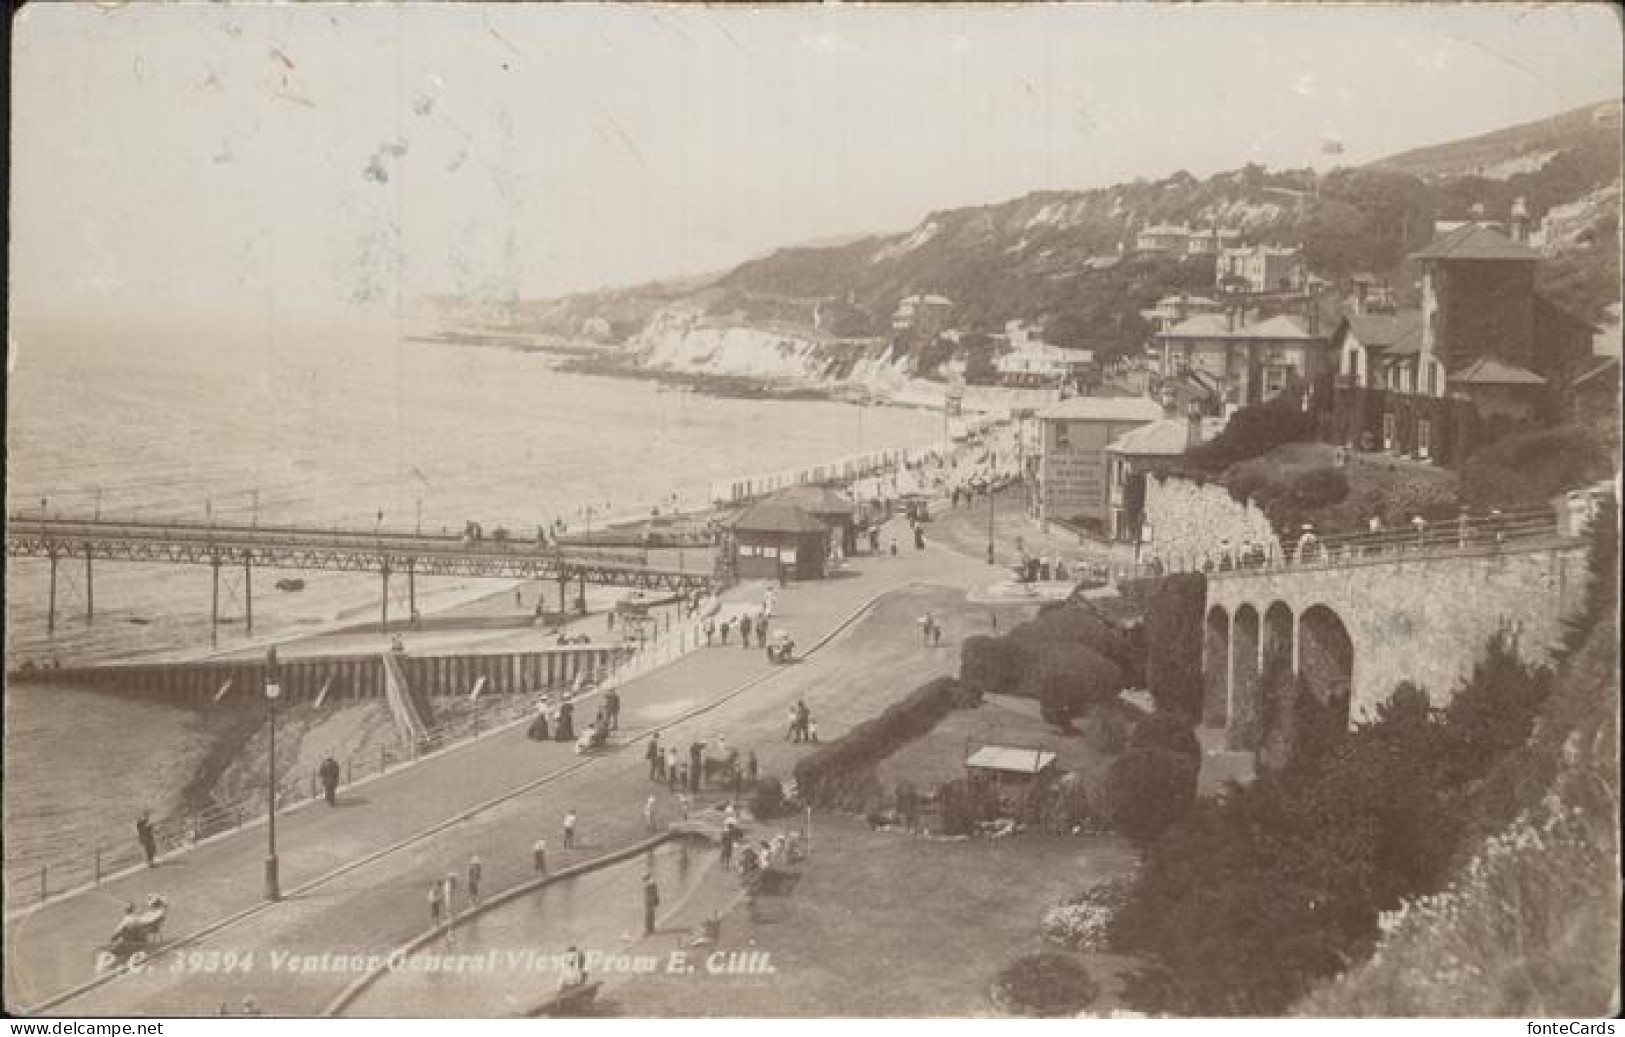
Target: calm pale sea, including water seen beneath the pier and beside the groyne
x=331, y=425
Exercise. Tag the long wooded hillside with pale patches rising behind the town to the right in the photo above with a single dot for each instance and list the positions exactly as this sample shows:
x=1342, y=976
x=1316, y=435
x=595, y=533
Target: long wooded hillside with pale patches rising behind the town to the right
x=1067, y=256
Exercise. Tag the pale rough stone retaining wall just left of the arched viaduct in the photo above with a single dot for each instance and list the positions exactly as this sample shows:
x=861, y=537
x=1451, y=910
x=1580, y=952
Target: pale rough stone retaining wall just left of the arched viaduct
x=1189, y=521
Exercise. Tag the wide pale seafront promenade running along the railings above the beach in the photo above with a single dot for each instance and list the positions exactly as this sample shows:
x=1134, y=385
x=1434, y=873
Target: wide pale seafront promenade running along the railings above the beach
x=357, y=877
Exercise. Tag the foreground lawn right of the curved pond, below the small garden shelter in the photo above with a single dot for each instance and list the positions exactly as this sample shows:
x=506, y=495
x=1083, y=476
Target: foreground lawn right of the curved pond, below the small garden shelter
x=885, y=924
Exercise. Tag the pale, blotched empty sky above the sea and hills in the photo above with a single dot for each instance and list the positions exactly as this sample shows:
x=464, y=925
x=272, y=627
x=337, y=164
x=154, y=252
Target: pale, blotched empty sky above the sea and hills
x=264, y=160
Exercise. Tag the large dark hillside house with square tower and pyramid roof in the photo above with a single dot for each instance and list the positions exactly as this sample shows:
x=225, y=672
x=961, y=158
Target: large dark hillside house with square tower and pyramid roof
x=1483, y=347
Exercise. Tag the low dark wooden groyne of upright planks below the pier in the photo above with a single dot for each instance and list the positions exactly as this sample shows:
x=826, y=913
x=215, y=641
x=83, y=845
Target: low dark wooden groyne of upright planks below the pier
x=339, y=679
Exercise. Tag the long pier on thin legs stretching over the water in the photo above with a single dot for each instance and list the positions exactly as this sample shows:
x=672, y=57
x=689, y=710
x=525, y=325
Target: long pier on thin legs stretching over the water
x=288, y=547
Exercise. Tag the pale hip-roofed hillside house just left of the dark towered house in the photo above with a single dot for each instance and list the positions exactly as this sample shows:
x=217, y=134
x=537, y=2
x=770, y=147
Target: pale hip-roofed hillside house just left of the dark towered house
x=1246, y=363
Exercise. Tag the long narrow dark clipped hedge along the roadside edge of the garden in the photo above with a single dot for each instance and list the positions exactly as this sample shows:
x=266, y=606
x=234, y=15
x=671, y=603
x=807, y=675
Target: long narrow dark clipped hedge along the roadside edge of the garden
x=830, y=776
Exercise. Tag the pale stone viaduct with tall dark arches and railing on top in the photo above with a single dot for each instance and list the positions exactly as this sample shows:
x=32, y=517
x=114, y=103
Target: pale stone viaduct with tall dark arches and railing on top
x=1358, y=628
